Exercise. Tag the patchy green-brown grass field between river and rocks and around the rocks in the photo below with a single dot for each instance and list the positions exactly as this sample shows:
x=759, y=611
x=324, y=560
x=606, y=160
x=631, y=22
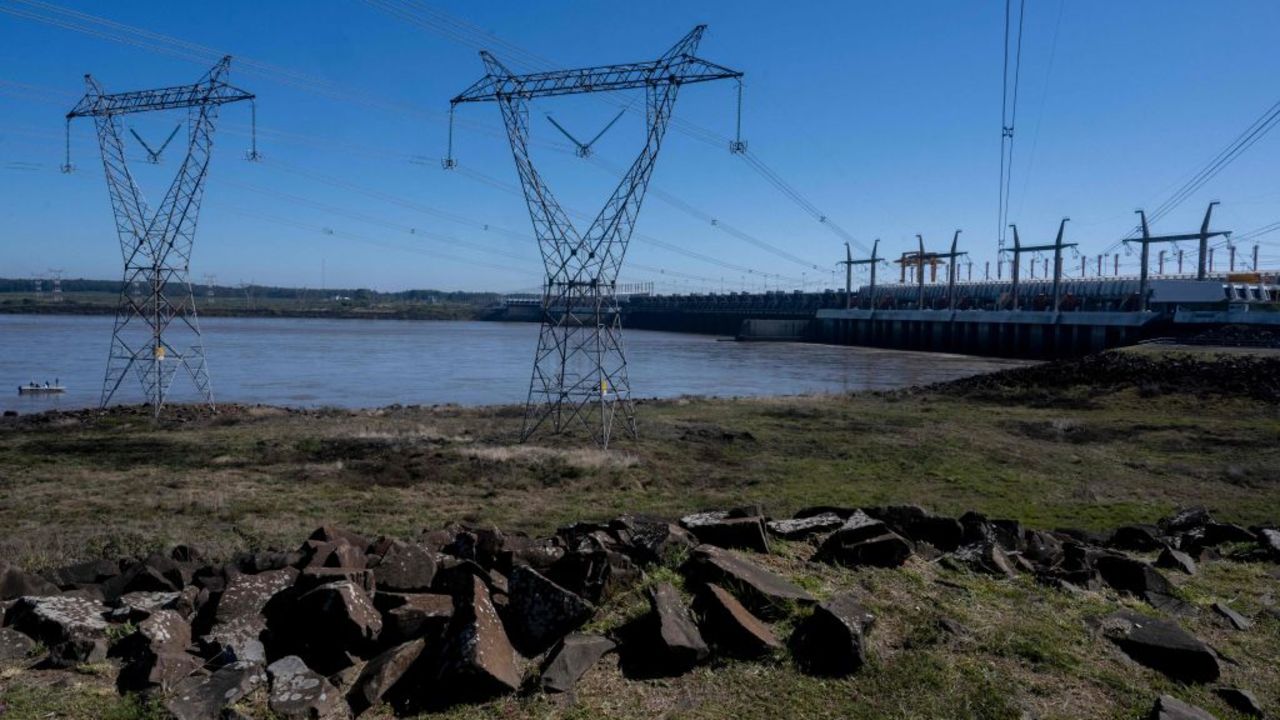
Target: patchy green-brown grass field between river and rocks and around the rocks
x=1089, y=457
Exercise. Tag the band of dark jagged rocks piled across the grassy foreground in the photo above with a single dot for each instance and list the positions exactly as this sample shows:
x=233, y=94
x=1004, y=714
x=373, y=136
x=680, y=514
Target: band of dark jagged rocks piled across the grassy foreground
x=464, y=614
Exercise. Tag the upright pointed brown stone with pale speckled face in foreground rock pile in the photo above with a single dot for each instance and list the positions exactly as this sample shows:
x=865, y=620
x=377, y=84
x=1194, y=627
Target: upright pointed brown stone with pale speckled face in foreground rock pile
x=478, y=659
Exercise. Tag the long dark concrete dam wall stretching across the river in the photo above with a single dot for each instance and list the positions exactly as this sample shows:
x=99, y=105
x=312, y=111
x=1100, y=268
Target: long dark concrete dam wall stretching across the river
x=971, y=318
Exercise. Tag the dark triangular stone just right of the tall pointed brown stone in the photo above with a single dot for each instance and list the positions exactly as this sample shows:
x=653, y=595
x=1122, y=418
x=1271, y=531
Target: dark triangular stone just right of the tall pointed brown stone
x=541, y=613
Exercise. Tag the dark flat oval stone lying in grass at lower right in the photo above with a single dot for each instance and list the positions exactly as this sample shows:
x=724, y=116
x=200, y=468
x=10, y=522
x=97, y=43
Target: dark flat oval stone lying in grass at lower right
x=1163, y=646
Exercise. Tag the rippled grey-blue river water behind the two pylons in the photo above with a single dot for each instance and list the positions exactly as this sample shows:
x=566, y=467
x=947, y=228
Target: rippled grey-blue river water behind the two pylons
x=312, y=363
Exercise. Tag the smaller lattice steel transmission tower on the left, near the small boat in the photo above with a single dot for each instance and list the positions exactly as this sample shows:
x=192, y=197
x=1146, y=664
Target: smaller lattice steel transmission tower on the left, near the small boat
x=157, y=244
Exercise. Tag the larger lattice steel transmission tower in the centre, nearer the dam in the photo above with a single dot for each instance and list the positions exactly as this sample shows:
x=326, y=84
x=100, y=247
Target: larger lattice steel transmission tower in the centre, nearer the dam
x=580, y=372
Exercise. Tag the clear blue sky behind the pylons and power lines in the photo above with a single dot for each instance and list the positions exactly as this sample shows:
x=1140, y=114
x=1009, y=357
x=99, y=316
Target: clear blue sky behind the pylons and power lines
x=885, y=116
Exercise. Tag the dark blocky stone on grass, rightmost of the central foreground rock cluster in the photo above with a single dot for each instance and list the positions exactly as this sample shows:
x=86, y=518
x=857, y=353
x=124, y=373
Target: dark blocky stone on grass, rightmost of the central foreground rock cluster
x=831, y=641
